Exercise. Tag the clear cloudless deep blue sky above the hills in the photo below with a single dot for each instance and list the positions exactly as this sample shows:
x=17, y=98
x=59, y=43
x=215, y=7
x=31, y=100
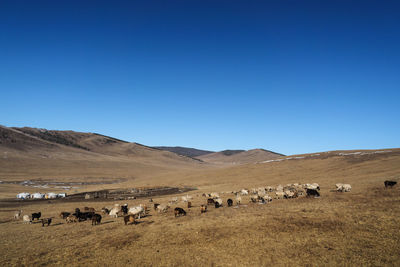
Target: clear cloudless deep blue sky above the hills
x=288, y=76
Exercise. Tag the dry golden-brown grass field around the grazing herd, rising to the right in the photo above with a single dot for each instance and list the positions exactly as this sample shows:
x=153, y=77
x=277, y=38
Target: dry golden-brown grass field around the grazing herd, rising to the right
x=358, y=228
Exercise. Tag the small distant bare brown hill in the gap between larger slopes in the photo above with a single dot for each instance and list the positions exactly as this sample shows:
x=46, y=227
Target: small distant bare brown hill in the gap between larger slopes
x=239, y=156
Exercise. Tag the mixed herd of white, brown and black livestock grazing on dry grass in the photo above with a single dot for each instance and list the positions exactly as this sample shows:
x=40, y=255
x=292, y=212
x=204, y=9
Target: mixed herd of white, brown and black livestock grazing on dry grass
x=260, y=195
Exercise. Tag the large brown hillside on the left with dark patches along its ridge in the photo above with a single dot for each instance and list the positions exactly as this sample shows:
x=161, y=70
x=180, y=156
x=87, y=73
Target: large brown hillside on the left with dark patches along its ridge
x=39, y=153
